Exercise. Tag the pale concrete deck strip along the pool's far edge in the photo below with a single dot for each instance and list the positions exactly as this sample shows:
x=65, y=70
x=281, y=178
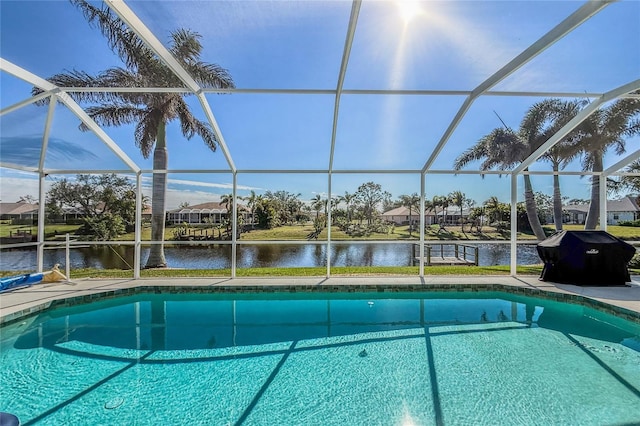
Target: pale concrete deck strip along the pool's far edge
x=26, y=301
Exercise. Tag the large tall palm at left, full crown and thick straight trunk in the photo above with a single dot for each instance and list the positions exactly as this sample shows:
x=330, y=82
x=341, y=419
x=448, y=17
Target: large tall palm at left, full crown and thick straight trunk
x=149, y=111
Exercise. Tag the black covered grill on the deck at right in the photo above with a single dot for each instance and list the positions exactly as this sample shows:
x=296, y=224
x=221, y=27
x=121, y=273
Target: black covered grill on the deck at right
x=585, y=258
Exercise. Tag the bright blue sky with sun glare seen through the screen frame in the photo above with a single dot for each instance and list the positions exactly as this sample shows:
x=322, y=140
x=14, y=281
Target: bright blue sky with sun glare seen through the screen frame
x=451, y=45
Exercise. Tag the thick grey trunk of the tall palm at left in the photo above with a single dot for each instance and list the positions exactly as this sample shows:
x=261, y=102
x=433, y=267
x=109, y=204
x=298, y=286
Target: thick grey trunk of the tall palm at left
x=160, y=158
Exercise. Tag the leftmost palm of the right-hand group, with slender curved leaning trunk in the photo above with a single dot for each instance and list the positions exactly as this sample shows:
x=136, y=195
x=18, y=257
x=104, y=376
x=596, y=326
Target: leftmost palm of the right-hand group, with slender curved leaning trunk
x=504, y=148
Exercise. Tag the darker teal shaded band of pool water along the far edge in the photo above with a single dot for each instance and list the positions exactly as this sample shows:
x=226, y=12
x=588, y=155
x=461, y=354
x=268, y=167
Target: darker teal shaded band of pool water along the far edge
x=163, y=322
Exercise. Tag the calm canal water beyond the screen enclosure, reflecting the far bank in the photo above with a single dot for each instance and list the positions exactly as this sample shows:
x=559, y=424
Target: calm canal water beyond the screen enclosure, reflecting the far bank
x=218, y=256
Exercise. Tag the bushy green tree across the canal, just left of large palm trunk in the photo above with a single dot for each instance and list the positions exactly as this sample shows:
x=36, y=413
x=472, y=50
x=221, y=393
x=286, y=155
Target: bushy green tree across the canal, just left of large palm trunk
x=106, y=203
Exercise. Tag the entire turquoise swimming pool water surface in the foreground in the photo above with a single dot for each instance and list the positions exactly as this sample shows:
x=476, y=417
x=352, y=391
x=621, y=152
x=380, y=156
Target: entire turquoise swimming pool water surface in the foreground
x=323, y=359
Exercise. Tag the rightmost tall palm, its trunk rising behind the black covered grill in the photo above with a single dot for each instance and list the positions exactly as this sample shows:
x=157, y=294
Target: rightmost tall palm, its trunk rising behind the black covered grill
x=604, y=129
